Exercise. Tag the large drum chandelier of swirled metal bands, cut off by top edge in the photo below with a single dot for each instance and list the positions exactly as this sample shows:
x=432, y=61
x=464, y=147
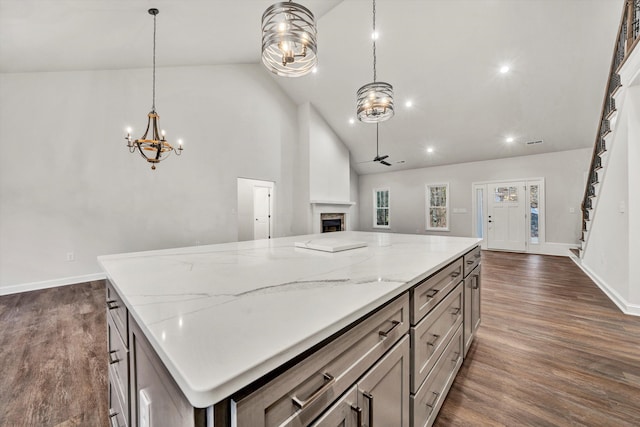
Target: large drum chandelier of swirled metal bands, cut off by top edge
x=289, y=39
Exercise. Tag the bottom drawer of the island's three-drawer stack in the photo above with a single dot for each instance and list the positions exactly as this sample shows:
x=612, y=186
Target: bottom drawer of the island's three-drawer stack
x=427, y=401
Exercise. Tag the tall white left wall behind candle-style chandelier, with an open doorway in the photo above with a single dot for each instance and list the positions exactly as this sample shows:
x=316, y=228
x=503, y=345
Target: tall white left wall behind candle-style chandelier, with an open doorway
x=68, y=183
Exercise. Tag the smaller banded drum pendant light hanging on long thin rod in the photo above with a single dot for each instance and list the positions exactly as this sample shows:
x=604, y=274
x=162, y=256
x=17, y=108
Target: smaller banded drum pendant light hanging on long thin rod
x=374, y=100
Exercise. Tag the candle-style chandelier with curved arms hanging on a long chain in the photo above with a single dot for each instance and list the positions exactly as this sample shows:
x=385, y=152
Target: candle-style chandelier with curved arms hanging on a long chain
x=154, y=147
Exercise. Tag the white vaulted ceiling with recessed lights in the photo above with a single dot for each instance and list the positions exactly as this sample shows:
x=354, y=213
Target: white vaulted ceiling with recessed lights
x=444, y=56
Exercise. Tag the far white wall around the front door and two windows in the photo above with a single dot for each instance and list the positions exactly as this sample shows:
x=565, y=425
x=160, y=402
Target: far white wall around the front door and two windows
x=563, y=172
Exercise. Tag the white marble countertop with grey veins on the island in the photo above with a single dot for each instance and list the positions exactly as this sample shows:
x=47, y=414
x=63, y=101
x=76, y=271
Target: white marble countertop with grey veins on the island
x=222, y=316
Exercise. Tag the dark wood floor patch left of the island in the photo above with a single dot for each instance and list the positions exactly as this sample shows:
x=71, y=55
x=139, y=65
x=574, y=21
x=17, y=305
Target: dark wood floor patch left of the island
x=53, y=362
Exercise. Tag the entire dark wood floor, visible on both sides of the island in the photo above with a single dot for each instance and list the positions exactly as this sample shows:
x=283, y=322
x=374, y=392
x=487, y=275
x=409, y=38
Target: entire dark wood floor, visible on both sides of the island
x=552, y=350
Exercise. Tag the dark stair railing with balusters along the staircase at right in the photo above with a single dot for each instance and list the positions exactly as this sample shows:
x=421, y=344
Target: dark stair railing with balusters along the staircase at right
x=628, y=38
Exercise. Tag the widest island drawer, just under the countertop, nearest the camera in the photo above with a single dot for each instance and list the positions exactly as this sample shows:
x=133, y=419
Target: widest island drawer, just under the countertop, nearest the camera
x=301, y=393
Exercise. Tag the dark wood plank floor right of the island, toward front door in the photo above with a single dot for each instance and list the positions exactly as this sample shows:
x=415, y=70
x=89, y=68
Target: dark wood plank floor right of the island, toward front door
x=552, y=350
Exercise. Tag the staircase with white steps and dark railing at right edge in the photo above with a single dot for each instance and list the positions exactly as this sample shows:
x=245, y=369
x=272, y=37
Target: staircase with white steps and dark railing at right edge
x=628, y=37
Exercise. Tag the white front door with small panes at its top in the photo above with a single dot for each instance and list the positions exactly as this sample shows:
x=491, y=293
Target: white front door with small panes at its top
x=506, y=218
